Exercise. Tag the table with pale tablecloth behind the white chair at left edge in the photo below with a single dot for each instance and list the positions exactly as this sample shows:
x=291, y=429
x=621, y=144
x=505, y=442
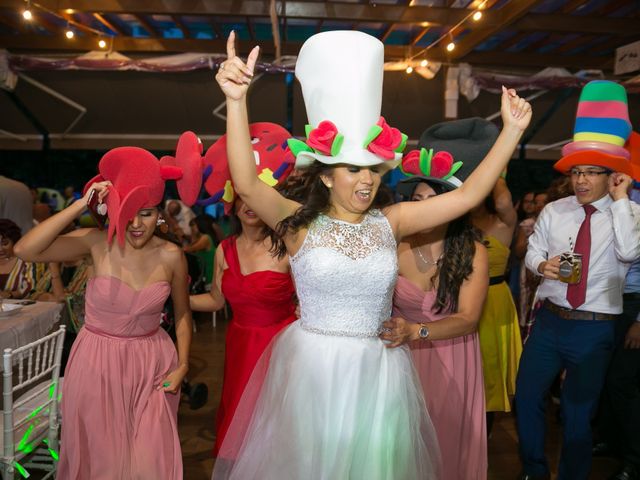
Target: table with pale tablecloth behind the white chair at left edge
x=29, y=324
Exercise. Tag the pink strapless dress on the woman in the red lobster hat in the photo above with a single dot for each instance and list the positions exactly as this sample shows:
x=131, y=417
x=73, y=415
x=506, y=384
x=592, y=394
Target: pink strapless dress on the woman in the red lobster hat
x=115, y=424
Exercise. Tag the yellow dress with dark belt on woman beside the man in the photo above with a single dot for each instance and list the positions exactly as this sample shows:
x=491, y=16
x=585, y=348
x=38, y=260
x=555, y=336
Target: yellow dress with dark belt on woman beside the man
x=499, y=332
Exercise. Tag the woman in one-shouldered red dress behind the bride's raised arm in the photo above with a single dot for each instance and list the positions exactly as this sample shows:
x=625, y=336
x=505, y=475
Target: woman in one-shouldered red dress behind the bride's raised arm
x=257, y=285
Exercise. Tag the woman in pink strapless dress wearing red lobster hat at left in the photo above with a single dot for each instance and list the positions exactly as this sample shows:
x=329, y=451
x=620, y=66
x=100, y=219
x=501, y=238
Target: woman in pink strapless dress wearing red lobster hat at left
x=121, y=388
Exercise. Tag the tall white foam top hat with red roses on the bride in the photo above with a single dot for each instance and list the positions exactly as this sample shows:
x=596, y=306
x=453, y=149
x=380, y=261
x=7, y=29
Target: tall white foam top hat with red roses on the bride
x=341, y=77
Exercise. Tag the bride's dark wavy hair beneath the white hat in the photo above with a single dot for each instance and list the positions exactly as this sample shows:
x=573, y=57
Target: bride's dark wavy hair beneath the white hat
x=309, y=189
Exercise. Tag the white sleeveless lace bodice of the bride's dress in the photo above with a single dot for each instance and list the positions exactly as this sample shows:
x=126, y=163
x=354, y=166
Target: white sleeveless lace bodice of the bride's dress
x=345, y=274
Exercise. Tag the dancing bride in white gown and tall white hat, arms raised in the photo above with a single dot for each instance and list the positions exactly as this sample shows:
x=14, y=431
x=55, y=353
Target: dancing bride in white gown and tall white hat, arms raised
x=329, y=400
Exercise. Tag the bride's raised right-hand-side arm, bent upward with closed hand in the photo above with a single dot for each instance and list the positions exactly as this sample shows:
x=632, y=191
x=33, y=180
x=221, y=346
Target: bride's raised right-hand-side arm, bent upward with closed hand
x=408, y=218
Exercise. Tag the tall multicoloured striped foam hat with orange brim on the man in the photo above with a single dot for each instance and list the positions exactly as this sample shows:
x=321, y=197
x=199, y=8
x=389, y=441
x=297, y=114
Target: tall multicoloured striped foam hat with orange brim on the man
x=601, y=130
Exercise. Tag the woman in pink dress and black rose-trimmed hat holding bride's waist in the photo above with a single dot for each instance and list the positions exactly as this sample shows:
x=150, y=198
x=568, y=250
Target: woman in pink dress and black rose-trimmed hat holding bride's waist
x=442, y=283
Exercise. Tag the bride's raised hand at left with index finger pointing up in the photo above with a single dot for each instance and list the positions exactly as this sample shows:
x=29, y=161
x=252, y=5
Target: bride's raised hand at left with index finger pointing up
x=234, y=76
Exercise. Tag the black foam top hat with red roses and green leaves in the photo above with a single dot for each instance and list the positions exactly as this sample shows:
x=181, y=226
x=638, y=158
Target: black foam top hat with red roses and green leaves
x=448, y=153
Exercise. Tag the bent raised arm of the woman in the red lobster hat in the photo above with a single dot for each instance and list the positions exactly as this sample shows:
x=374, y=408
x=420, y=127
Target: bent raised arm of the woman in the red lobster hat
x=43, y=243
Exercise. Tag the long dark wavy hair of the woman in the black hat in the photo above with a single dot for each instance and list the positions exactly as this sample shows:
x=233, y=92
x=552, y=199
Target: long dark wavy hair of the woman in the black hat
x=456, y=263
